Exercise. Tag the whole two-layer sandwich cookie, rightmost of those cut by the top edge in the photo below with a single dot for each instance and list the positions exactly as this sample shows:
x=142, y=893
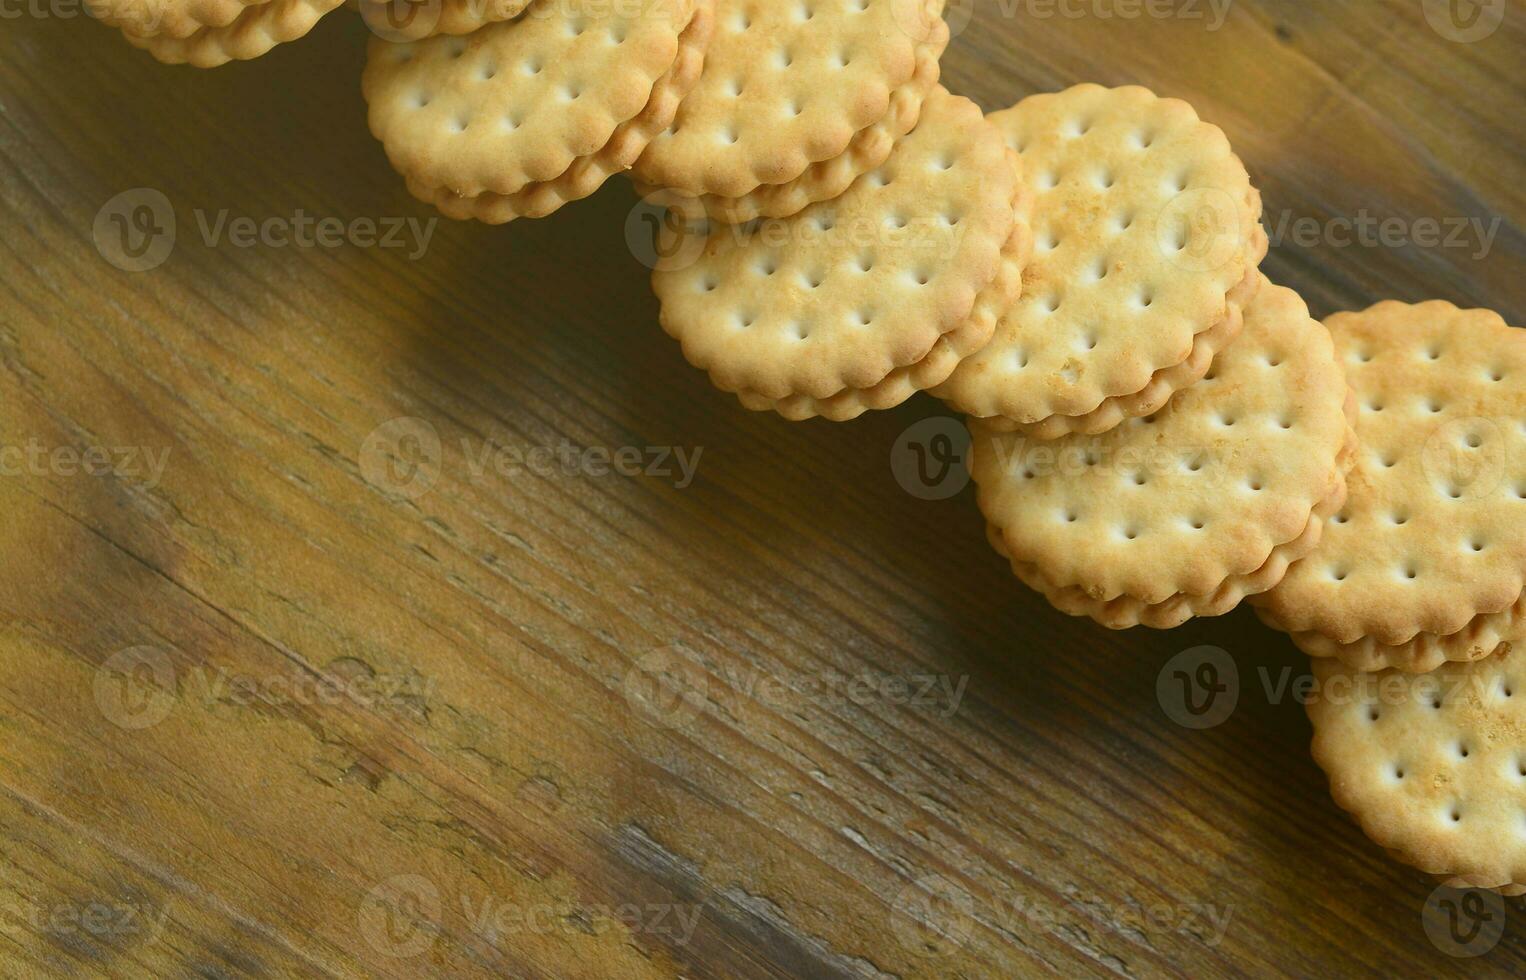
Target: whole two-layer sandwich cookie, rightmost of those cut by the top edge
x=796, y=103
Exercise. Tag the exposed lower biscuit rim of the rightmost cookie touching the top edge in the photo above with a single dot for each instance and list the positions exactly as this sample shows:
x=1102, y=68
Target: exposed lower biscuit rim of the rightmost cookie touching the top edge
x=831, y=178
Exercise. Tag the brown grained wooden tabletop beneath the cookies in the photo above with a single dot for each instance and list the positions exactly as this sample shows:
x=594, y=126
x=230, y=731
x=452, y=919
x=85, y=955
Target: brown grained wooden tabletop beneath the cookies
x=410, y=729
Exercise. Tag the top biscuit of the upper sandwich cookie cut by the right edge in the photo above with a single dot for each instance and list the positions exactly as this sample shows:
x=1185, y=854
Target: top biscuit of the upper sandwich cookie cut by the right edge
x=1435, y=530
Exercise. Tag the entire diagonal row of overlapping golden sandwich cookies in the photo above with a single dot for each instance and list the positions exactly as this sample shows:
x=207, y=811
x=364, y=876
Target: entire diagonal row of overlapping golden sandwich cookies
x=1159, y=431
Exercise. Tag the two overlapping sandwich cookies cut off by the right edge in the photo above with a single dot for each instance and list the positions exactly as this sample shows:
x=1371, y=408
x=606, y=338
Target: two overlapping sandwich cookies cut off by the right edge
x=1415, y=604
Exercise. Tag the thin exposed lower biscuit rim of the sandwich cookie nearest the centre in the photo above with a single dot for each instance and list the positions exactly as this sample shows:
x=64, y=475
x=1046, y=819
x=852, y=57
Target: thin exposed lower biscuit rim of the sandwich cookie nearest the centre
x=939, y=363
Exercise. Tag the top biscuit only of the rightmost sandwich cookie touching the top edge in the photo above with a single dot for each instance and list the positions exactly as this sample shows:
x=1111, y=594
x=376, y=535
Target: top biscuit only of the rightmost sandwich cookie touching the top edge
x=790, y=86
